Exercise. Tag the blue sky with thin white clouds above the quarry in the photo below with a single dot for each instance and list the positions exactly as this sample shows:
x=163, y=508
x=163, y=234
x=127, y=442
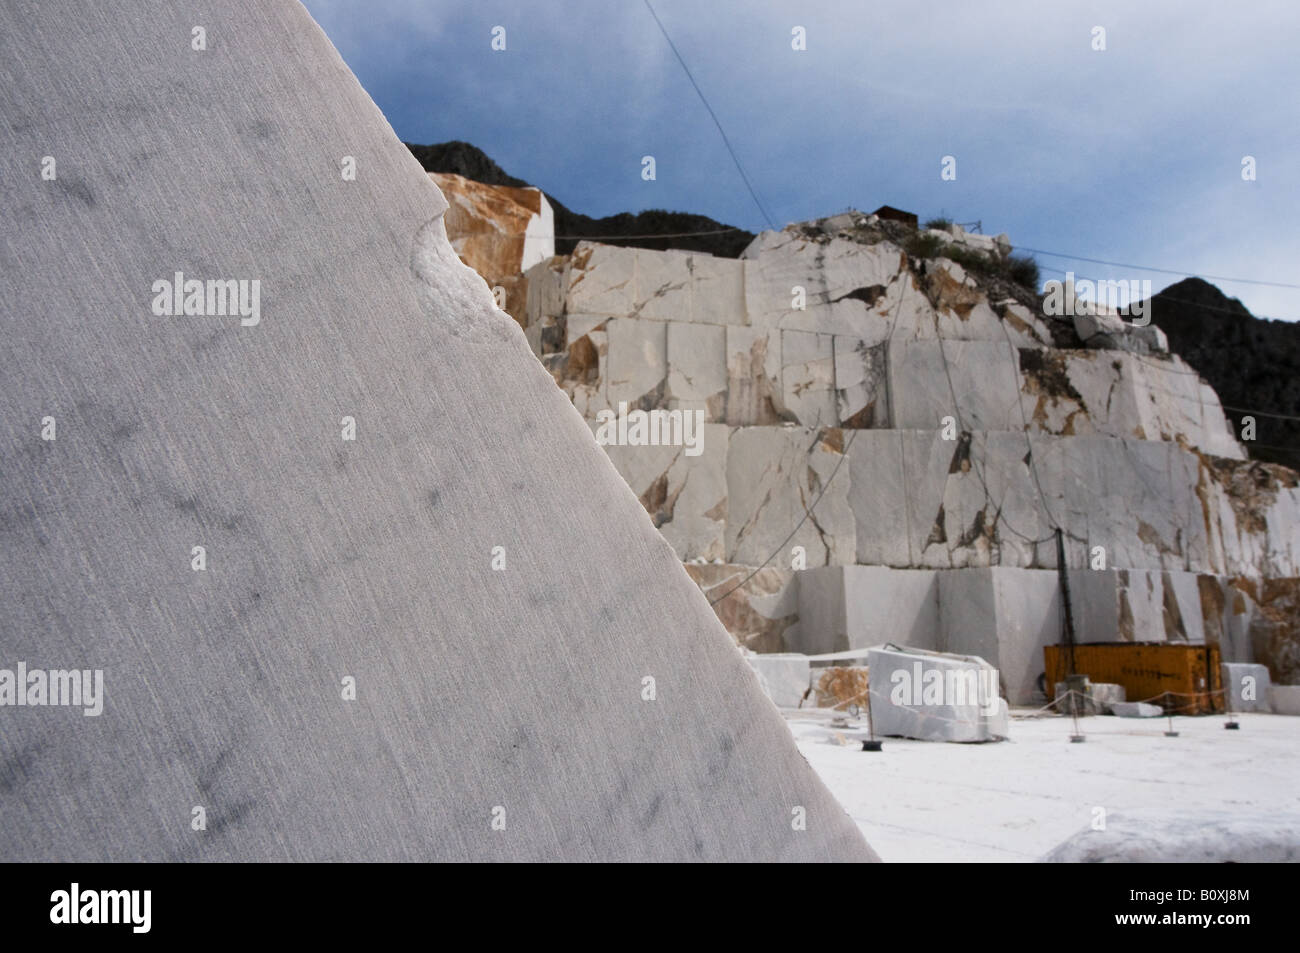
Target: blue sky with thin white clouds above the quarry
x=1133, y=154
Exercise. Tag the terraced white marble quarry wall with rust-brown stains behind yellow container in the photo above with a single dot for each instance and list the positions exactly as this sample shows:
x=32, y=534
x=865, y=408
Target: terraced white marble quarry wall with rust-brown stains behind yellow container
x=924, y=400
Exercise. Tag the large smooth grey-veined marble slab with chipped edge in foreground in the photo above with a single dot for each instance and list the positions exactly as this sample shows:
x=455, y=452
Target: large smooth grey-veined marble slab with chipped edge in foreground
x=349, y=601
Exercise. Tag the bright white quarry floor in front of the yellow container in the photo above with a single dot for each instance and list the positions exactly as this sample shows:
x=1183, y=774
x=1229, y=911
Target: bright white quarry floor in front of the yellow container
x=1016, y=800
